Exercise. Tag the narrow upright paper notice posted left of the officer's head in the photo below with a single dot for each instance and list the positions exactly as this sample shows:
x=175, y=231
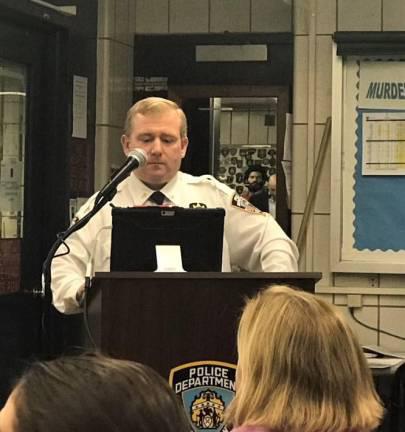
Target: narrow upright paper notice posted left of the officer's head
x=79, y=129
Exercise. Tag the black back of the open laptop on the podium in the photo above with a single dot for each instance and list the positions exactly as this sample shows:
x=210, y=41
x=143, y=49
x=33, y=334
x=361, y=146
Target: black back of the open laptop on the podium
x=137, y=231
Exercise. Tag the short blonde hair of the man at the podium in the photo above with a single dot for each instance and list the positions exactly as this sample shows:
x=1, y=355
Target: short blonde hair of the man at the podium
x=154, y=105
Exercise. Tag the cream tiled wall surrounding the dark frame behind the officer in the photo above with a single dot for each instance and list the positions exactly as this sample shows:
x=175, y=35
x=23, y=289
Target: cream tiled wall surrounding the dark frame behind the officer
x=314, y=22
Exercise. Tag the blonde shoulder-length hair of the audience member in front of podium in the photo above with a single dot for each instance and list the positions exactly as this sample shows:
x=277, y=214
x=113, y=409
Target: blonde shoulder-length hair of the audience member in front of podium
x=301, y=367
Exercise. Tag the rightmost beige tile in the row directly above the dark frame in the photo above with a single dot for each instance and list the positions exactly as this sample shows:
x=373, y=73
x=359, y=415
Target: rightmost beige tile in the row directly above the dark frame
x=271, y=16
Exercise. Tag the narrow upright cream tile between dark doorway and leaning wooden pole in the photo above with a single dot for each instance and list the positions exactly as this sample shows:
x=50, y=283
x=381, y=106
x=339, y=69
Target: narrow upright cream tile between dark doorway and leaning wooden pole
x=299, y=168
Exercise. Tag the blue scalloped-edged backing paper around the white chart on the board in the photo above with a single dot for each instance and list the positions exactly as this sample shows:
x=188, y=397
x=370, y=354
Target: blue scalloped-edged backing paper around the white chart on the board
x=379, y=203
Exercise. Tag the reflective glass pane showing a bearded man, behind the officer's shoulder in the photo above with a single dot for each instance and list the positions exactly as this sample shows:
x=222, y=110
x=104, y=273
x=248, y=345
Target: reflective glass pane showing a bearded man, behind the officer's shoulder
x=245, y=136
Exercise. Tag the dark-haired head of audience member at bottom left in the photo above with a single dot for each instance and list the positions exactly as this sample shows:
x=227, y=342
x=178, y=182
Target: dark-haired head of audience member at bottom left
x=95, y=393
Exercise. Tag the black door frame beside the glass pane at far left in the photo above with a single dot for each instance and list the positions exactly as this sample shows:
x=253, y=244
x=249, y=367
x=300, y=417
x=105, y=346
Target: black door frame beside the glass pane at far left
x=46, y=162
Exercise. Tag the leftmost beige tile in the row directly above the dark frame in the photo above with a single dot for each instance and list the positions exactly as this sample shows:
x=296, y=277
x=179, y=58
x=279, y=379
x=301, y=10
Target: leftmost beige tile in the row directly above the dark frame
x=152, y=16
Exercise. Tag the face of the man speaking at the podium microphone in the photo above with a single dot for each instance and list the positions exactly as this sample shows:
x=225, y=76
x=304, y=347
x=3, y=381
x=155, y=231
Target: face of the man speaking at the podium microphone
x=159, y=135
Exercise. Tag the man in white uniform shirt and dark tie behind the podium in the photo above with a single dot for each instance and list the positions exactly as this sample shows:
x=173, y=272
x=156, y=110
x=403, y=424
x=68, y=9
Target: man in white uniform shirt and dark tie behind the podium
x=252, y=240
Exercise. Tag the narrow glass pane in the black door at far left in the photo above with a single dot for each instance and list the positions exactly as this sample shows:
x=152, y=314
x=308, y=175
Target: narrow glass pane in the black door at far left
x=12, y=137
